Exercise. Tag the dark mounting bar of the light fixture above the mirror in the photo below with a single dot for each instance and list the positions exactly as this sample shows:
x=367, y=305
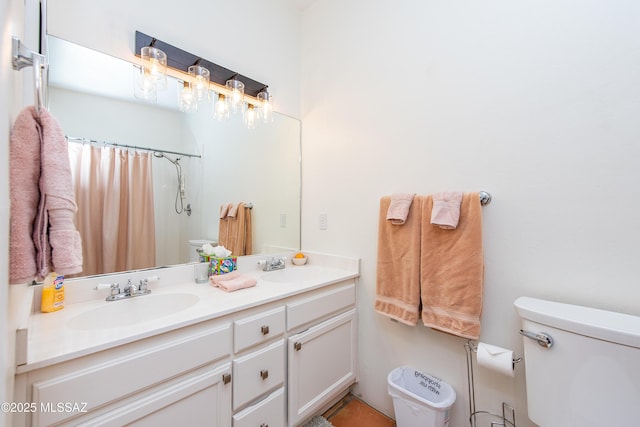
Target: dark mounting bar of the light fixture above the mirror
x=181, y=60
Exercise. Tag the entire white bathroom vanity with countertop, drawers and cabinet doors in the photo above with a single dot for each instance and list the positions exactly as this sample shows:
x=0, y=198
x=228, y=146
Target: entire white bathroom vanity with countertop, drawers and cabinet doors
x=271, y=355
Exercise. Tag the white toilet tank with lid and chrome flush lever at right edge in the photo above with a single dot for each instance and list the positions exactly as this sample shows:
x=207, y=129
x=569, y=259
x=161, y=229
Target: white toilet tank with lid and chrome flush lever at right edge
x=590, y=376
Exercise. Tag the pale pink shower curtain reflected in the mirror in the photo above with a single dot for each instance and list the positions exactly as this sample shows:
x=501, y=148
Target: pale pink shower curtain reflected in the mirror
x=114, y=194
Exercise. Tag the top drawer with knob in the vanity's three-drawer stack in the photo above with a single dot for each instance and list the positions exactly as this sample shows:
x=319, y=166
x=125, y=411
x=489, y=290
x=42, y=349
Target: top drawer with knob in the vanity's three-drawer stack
x=258, y=329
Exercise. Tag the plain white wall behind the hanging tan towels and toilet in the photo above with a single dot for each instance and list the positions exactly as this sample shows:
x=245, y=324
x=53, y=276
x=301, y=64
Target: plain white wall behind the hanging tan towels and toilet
x=535, y=102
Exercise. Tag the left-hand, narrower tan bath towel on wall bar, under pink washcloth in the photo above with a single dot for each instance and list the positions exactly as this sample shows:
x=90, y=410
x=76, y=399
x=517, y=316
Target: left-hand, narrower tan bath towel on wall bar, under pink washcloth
x=398, y=267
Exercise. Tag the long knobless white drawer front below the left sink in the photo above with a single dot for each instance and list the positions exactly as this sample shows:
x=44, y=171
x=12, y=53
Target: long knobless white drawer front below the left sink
x=130, y=373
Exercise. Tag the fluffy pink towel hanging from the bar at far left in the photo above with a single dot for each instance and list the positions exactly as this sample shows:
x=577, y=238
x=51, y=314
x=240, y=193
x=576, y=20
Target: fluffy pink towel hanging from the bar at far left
x=43, y=234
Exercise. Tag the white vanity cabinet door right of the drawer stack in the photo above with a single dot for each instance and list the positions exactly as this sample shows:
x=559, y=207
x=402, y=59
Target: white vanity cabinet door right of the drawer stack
x=322, y=364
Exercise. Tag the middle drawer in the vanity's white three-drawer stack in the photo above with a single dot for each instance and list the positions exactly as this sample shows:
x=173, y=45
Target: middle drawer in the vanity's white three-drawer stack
x=257, y=373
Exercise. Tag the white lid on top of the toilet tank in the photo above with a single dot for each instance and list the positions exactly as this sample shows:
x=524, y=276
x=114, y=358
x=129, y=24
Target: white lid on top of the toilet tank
x=610, y=326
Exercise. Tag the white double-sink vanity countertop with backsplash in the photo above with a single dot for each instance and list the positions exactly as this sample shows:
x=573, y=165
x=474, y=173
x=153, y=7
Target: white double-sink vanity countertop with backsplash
x=59, y=336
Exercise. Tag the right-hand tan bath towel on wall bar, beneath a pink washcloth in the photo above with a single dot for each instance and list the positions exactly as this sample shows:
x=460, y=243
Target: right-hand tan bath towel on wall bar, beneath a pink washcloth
x=452, y=271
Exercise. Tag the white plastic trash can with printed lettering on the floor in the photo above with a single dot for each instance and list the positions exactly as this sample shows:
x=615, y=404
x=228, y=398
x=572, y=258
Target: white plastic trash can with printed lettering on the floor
x=420, y=400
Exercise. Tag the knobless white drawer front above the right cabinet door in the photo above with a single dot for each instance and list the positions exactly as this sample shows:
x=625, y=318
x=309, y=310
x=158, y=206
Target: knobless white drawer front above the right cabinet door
x=321, y=305
